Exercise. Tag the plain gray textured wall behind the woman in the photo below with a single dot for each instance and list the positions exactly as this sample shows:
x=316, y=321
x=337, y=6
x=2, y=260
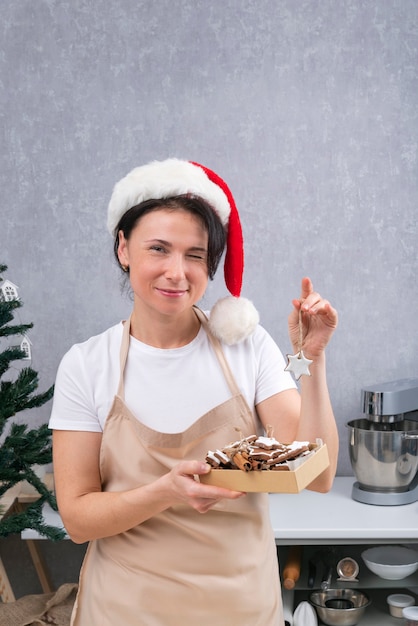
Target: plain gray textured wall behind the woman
x=308, y=108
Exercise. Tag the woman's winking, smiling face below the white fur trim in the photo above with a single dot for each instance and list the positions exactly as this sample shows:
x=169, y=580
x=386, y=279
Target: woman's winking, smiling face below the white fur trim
x=167, y=258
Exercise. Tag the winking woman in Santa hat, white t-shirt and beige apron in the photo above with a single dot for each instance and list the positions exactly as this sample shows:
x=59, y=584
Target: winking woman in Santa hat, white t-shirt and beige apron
x=137, y=408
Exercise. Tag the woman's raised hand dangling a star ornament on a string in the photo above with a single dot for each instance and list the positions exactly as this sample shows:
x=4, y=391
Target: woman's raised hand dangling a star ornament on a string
x=319, y=320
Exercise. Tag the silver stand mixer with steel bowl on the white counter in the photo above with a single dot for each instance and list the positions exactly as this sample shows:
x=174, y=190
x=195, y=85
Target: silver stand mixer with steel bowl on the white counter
x=383, y=446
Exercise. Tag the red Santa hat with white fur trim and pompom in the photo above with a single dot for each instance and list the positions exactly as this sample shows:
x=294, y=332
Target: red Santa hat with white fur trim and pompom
x=233, y=318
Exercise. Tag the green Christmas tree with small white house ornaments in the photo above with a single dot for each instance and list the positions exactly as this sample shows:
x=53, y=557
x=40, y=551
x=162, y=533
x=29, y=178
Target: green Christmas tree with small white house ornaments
x=21, y=447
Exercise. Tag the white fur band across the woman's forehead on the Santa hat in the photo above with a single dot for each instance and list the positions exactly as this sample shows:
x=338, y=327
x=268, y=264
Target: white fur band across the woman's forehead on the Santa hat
x=164, y=179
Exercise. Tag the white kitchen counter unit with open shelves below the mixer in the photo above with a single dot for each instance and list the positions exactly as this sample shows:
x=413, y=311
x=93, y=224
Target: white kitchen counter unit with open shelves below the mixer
x=336, y=522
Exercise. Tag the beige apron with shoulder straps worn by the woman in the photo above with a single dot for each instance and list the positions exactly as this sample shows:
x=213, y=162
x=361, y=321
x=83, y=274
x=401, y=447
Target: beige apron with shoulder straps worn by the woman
x=181, y=567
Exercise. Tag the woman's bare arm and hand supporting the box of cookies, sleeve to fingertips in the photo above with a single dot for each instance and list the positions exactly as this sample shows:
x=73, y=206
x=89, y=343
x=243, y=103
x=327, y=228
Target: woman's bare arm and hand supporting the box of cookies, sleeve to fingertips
x=90, y=513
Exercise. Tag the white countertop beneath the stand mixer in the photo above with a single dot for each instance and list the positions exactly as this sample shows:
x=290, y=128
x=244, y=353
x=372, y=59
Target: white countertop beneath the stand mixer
x=334, y=517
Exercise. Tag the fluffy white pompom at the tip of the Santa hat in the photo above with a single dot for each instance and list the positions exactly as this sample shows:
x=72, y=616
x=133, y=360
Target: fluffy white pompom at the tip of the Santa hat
x=233, y=319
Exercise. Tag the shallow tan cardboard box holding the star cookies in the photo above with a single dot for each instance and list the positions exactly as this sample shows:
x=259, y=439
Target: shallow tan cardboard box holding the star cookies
x=303, y=472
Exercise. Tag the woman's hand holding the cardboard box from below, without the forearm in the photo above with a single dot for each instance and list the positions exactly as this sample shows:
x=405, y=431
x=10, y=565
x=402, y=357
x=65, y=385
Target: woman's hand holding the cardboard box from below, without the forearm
x=185, y=487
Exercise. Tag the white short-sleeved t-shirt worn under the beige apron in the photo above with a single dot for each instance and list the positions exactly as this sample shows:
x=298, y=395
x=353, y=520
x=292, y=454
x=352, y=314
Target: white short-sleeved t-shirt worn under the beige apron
x=167, y=390
